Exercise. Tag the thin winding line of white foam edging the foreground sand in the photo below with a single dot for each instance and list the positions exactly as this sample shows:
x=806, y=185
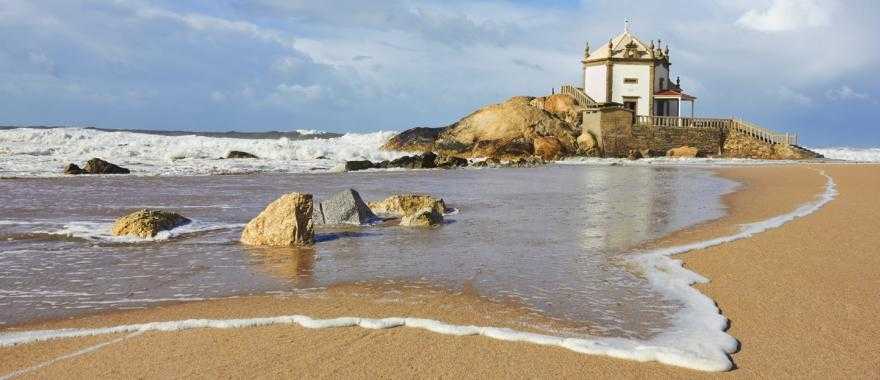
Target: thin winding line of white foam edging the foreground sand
x=697, y=339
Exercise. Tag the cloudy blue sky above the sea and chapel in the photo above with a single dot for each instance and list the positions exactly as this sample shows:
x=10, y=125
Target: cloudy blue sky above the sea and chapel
x=804, y=66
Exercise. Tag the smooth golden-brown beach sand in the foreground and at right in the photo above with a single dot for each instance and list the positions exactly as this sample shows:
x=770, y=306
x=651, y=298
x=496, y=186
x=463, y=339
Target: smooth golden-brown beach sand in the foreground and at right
x=802, y=300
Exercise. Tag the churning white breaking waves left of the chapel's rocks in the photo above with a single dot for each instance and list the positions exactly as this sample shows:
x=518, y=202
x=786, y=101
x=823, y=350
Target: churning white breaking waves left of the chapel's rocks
x=41, y=152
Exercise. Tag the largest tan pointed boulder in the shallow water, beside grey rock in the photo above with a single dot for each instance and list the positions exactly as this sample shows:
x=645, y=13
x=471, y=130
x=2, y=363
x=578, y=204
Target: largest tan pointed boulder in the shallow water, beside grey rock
x=285, y=222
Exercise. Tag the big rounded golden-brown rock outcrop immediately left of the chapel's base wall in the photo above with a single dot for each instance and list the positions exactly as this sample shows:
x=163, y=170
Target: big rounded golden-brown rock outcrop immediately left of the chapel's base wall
x=506, y=130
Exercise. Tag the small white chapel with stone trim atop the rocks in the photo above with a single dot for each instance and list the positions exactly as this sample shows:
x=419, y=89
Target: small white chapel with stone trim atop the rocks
x=629, y=72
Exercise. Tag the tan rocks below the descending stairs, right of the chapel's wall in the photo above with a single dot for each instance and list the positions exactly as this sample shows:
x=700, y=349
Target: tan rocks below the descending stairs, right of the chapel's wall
x=741, y=145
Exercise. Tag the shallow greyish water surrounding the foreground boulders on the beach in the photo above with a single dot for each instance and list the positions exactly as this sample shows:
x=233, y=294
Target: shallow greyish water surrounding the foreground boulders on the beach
x=553, y=239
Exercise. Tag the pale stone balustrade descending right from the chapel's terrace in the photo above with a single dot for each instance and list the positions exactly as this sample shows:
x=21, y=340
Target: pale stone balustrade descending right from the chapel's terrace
x=752, y=130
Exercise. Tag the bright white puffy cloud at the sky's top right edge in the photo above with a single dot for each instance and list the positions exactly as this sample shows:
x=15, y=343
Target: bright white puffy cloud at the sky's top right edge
x=785, y=15
